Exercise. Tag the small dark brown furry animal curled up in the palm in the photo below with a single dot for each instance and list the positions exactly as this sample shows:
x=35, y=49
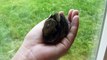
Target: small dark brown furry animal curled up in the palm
x=55, y=29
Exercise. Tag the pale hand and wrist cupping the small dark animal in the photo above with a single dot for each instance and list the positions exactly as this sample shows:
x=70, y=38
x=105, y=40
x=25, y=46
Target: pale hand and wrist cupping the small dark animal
x=33, y=47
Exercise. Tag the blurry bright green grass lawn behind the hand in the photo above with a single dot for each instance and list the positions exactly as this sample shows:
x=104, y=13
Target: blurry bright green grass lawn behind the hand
x=17, y=17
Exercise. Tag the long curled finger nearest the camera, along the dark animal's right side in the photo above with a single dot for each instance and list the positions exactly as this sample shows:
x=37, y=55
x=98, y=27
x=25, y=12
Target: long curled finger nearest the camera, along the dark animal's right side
x=67, y=42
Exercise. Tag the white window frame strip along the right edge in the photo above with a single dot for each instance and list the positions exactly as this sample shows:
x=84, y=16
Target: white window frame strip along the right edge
x=103, y=41
